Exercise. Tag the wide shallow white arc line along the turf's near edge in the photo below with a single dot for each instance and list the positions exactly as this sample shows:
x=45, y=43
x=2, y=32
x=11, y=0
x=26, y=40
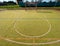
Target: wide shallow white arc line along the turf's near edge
x=32, y=43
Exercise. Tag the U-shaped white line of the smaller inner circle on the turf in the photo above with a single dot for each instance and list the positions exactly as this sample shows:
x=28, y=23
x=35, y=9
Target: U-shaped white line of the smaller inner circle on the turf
x=33, y=36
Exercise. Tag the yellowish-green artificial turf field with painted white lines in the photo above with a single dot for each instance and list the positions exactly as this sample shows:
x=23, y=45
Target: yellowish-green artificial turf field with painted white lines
x=30, y=28
